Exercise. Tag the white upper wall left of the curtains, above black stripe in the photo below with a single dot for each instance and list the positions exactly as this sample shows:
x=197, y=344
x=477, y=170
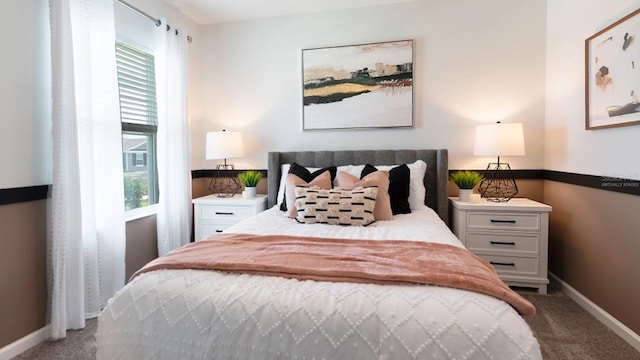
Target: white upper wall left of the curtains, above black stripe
x=25, y=107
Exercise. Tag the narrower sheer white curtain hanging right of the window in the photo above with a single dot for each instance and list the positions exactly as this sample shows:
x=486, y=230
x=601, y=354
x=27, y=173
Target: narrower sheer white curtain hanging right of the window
x=174, y=174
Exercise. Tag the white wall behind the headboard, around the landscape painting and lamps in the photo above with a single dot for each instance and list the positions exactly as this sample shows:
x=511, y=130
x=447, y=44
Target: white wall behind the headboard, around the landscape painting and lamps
x=475, y=62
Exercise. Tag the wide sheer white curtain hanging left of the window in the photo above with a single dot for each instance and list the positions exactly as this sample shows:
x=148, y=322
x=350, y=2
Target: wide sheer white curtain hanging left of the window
x=86, y=216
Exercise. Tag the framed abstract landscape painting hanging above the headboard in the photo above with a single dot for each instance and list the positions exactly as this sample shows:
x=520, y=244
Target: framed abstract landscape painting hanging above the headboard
x=358, y=86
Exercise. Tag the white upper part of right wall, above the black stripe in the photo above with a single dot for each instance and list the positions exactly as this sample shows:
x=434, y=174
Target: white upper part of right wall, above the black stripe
x=569, y=147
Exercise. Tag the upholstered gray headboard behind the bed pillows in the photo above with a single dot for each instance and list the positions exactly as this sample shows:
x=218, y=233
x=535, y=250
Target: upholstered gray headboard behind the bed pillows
x=436, y=180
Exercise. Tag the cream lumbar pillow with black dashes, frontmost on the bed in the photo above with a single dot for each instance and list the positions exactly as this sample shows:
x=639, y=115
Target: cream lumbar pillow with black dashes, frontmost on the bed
x=336, y=207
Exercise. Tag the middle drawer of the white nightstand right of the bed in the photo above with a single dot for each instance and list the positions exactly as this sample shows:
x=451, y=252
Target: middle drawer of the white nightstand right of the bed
x=521, y=243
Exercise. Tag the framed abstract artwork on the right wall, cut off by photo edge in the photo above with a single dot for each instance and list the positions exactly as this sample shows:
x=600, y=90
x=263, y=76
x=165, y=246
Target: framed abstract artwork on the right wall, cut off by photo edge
x=612, y=62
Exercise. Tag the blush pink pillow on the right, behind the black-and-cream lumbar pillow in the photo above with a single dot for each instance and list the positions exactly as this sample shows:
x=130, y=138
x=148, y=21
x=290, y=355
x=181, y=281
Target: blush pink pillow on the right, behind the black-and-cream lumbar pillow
x=380, y=179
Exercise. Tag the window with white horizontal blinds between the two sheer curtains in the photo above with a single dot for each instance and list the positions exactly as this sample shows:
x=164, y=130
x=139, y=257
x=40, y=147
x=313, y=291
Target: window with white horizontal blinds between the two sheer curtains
x=138, y=113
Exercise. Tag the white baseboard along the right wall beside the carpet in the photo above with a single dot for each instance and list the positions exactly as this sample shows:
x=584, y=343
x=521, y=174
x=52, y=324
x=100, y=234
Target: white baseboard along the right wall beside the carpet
x=609, y=321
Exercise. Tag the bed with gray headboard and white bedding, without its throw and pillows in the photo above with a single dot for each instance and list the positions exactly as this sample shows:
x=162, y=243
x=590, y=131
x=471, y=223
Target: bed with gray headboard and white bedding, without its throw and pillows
x=179, y=313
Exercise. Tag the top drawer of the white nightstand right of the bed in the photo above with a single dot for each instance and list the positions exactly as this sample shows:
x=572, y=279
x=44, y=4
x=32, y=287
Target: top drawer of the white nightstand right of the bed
x=510, y=221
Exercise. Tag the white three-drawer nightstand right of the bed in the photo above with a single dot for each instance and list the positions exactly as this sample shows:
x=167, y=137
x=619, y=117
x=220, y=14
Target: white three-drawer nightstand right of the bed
x=513, y=236
